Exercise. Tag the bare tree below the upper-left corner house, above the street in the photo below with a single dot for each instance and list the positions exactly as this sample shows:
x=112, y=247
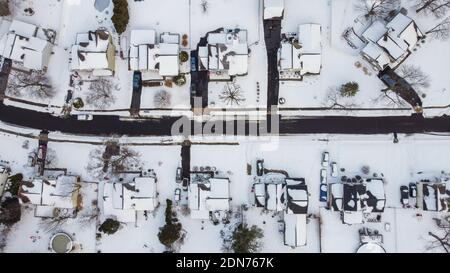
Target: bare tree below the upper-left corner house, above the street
x=34, y=84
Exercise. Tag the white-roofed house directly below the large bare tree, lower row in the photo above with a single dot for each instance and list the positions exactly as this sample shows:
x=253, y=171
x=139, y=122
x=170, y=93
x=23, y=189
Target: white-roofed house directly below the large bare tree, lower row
x=125, y=200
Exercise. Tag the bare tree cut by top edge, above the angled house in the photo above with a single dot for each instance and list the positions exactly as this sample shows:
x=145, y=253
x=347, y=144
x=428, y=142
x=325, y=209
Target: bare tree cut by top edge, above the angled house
x=376, y=9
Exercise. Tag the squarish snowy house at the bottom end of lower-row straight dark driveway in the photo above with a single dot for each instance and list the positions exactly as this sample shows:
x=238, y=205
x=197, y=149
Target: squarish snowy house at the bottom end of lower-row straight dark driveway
x=209, y=198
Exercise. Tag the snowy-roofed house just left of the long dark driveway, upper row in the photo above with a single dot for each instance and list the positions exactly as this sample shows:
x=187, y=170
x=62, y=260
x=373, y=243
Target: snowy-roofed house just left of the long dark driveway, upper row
x=225, y=54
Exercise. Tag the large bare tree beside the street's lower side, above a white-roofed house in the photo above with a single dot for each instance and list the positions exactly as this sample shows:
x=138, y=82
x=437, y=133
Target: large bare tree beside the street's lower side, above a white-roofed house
x=113, y=160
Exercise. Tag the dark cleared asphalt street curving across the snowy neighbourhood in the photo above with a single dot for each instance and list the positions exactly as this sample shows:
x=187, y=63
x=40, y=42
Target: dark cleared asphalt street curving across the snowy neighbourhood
x=106, y=125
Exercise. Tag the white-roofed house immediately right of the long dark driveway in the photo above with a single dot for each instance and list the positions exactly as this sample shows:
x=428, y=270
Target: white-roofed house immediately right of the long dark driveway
x=302, y=52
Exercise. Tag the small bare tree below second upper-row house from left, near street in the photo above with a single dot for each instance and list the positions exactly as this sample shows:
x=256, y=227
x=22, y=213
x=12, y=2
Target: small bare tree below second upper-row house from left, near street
x=100, y=93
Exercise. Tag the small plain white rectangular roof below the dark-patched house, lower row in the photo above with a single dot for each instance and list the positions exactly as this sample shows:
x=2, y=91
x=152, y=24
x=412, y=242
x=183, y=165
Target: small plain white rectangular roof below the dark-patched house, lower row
x=295, y=232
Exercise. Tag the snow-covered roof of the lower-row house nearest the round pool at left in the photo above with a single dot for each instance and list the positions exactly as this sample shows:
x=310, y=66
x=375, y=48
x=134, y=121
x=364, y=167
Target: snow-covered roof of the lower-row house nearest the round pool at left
x=56, y=193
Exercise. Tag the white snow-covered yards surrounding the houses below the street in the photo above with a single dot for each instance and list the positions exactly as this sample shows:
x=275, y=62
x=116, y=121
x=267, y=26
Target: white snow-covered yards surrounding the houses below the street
x=298, y=155
